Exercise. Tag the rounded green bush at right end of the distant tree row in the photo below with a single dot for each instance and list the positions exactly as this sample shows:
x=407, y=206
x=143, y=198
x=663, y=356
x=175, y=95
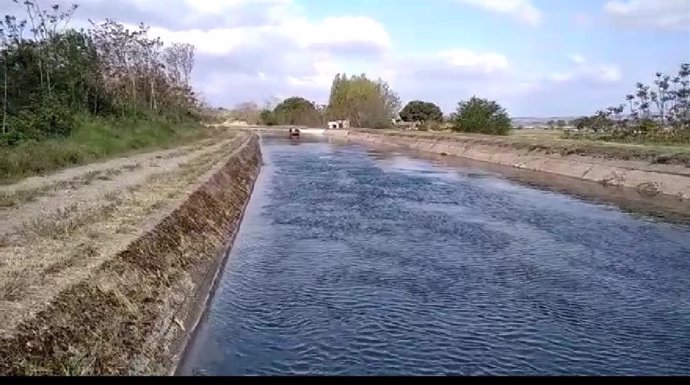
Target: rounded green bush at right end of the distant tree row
x=481, y=116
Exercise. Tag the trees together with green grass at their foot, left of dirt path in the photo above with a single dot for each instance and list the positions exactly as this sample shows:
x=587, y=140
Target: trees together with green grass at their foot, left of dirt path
x=72, y=96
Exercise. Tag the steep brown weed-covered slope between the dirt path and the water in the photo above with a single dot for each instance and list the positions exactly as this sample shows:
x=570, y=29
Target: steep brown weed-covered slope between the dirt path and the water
x=135, y=313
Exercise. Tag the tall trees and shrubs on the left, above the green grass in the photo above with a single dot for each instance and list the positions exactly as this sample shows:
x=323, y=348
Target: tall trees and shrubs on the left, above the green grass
x=50, y=73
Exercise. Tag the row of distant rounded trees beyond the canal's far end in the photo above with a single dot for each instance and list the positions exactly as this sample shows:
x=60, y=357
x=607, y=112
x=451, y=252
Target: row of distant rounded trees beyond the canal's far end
x=374, y=104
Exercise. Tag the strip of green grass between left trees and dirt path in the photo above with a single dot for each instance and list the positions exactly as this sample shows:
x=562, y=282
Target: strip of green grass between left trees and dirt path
x=92, y=140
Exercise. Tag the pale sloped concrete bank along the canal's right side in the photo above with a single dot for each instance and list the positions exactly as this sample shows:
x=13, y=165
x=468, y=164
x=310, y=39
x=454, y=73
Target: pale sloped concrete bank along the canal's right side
x=647, y=179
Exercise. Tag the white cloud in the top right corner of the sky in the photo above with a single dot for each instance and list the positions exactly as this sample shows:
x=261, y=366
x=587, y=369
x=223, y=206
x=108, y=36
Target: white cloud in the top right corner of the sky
x=659, y=14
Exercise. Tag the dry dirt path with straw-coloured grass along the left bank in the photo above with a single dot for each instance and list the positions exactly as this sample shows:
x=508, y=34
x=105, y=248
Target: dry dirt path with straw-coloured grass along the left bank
x=55, y=230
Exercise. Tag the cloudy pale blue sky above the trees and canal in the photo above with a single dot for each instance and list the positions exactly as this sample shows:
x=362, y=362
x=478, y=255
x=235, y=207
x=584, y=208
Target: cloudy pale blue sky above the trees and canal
x=537, y=58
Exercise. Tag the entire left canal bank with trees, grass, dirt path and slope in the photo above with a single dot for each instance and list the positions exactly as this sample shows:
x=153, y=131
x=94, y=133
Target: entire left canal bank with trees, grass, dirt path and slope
x=117, y=203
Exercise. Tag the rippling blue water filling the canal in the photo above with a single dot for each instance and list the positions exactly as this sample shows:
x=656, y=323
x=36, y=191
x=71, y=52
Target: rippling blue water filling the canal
x=358, y=261
